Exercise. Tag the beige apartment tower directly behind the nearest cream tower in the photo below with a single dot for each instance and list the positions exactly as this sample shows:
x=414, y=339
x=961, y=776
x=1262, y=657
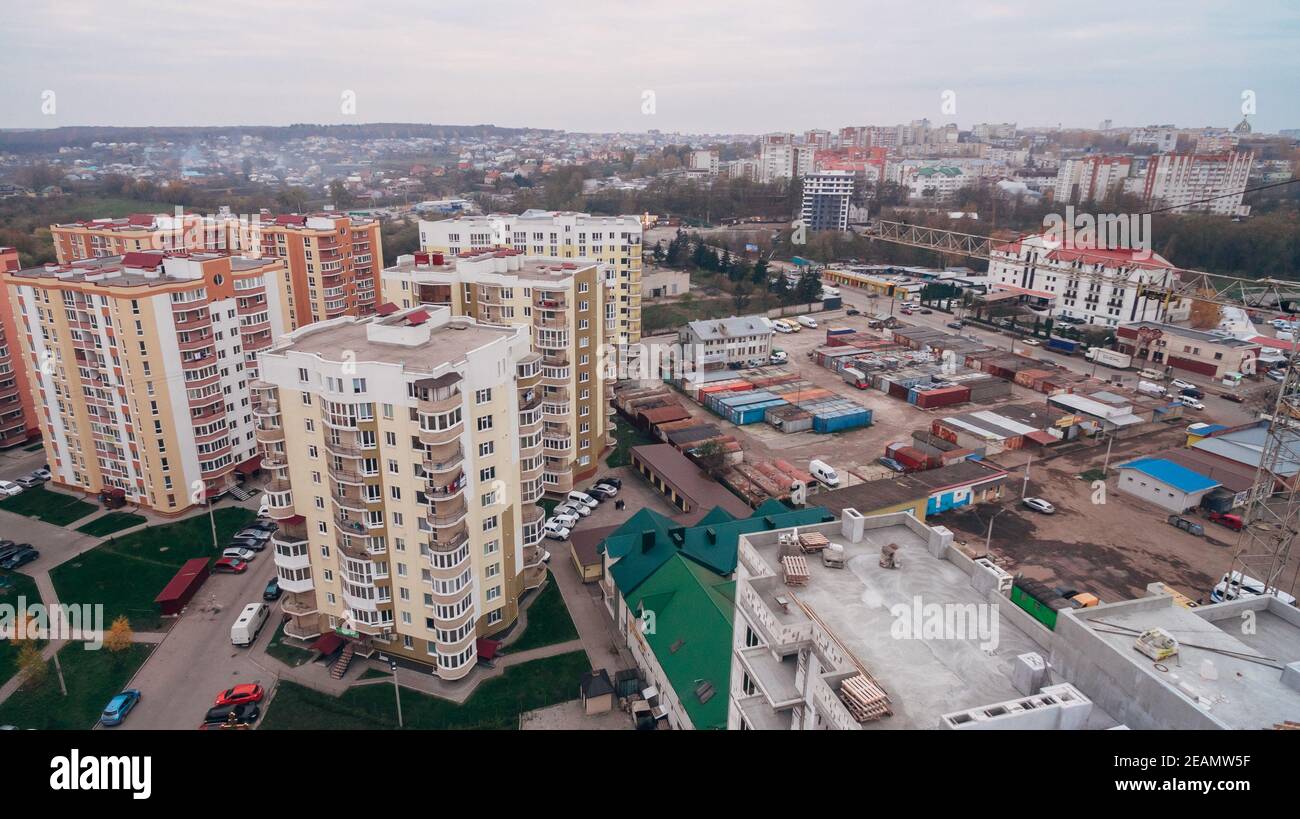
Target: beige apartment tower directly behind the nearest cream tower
x=569, y=315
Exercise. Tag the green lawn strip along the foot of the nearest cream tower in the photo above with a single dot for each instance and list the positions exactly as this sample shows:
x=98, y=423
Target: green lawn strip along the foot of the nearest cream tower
x=495, y=705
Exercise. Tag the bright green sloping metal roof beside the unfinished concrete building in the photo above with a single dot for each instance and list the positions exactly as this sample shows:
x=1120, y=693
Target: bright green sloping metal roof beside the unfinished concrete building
x=692, y=635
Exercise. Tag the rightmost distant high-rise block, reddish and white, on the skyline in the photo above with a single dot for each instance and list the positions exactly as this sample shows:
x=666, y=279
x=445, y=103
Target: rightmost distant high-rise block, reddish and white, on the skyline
x=1199, y=183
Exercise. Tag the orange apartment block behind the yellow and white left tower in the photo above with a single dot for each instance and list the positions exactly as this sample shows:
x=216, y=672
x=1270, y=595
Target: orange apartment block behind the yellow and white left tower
x=332, y=261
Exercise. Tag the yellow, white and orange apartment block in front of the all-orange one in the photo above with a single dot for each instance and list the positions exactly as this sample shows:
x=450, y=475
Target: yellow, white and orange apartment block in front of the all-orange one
x=140, y=370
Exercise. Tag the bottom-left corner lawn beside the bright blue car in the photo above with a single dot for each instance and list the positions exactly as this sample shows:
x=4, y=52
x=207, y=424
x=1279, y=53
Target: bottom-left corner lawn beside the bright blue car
x=93, y=679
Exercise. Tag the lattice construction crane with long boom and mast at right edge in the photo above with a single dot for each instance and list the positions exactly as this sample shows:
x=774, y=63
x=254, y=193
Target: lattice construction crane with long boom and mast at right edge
x=1272, y=519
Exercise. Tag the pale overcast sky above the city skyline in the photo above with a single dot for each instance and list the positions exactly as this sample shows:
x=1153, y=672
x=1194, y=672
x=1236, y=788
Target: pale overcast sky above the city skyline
x=675, y=66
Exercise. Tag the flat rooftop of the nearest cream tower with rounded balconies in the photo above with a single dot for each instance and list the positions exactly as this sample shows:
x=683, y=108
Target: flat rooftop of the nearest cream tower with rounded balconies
x=418, y=340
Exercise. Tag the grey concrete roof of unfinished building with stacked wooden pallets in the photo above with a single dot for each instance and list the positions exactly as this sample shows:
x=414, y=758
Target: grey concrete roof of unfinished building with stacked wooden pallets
x=863, y=605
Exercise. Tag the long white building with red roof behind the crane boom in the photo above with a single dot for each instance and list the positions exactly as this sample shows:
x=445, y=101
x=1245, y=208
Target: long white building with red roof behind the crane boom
x=1099, y=287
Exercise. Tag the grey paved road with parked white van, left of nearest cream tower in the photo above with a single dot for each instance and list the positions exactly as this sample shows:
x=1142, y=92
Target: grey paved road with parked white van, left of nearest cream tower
x=196, y=661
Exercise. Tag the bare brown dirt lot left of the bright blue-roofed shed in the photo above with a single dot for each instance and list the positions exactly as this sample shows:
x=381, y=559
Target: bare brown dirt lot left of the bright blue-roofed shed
x=1112, y=549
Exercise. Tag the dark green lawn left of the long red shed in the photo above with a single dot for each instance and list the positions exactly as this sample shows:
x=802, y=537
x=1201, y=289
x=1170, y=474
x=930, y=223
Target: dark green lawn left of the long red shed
x=127, y=574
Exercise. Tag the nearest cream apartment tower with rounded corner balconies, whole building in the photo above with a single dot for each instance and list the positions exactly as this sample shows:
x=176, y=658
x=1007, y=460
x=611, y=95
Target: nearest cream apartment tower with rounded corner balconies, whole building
x=406, y=456
